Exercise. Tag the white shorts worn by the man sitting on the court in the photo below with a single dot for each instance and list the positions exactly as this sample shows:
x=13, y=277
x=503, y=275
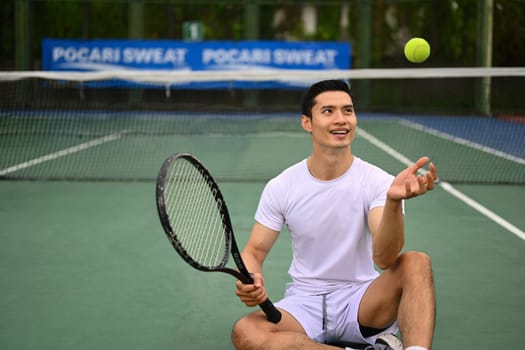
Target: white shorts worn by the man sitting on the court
x=330, y=317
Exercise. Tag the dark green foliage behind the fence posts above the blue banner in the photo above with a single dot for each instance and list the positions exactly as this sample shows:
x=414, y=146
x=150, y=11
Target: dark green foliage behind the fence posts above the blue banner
x=451, y=26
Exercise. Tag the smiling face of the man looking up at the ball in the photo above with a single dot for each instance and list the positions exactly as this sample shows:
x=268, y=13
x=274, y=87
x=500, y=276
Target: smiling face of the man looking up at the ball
x=333, y=123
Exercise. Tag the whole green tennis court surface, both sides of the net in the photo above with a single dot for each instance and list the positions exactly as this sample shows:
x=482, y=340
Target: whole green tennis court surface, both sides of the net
x=85, y=264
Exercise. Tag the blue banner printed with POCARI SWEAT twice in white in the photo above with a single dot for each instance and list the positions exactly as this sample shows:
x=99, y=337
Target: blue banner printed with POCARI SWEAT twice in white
x=96, y=55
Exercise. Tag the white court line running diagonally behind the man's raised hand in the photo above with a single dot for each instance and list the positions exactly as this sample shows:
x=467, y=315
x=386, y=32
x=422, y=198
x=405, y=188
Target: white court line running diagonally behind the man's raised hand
x=447, y=187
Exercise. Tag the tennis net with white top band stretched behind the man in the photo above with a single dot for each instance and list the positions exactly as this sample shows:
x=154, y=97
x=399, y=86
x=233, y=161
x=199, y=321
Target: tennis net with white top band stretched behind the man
x=121, y=125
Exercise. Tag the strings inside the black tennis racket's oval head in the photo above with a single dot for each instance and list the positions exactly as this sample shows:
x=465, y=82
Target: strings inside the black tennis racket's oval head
x=193, y=211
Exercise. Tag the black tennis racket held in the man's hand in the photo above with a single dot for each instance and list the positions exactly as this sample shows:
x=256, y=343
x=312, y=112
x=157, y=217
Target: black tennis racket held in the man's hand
x=195, y=218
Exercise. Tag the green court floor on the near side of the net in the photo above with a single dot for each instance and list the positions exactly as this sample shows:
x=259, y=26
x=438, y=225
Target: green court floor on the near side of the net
x=85, y=265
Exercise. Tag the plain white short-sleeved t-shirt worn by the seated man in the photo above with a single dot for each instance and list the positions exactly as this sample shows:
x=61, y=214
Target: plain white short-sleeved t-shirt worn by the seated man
x=327, y=220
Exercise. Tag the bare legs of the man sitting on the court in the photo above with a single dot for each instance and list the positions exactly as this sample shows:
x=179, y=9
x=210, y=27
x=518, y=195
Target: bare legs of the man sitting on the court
x=404, y=292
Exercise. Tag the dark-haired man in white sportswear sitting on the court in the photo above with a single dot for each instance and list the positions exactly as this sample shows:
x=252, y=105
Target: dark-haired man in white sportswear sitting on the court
x=345, y=216
